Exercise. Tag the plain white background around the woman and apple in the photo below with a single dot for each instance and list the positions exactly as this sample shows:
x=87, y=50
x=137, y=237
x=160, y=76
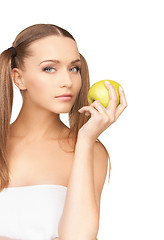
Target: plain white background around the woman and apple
x=121, y=41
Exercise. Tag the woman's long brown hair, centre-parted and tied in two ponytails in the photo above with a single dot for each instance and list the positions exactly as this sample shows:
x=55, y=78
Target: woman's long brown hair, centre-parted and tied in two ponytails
x=7, y=63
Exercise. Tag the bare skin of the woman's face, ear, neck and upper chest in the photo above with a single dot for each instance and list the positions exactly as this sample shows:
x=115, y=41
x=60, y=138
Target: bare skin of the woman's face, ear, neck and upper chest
x=33, y=145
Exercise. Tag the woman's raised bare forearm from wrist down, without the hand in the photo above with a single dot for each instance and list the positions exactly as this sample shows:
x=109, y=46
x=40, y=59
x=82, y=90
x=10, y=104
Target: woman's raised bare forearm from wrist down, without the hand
x=80, y=218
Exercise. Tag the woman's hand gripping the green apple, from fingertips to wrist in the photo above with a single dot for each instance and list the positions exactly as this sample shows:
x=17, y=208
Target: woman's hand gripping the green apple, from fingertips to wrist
x=101, y=117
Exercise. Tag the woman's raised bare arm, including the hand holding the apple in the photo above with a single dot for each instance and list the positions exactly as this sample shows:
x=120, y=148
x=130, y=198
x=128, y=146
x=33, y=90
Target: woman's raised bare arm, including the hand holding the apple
x=80, y=218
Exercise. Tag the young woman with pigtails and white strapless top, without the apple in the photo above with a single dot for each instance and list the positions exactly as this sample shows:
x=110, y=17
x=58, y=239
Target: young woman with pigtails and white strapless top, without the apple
x=51, y=176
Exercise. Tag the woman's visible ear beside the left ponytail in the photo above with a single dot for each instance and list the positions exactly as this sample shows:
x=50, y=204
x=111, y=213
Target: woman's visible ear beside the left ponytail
x=18, y=78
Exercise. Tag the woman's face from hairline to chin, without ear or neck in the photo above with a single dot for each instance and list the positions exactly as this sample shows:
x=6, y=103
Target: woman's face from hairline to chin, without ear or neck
x=44, y=78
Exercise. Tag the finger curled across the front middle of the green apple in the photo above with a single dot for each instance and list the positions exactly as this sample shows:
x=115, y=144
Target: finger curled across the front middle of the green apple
x=113, y=97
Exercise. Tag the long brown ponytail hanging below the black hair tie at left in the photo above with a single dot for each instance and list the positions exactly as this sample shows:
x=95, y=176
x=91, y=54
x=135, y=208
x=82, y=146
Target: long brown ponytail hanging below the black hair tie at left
x=6, y=101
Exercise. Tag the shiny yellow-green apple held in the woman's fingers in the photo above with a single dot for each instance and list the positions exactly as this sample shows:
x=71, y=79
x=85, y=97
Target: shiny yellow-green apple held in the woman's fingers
x=99, y=91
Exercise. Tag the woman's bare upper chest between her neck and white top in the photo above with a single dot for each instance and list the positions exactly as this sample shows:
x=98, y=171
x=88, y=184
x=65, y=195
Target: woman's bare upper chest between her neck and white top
x=46, y=162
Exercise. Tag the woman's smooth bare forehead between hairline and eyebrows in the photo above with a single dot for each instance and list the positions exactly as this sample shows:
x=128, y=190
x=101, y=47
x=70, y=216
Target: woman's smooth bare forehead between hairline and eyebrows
x=62, y=48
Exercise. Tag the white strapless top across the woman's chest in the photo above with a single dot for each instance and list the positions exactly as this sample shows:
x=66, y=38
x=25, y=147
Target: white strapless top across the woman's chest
x=31, y=212
